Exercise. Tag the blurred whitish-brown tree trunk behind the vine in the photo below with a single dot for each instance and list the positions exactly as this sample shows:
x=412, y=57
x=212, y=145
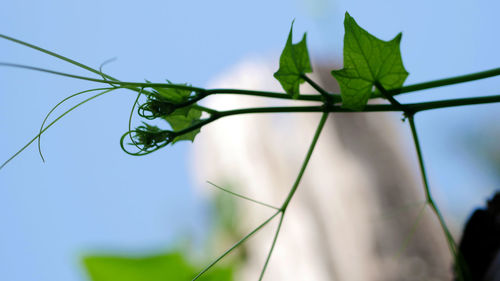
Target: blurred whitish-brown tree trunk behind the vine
x=355, y=209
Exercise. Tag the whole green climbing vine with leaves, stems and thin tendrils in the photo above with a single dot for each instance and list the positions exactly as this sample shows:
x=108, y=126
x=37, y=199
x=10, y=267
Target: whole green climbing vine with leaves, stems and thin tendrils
x=372, y=69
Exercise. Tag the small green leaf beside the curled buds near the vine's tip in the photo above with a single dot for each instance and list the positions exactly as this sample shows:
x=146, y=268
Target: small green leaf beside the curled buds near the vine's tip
x=183, y=118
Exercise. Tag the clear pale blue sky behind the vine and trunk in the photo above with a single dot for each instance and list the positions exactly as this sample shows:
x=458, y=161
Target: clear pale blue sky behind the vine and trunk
x=90, y=195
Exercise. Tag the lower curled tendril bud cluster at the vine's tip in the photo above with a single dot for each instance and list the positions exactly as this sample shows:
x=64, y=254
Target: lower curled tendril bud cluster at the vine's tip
x=147, y=139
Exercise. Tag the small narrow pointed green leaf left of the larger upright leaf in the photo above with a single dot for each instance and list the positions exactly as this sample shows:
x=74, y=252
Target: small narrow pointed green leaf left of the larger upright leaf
x=294, y=62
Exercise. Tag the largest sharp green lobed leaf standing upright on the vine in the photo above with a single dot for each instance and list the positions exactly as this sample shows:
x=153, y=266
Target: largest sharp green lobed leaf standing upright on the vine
x=367, y=60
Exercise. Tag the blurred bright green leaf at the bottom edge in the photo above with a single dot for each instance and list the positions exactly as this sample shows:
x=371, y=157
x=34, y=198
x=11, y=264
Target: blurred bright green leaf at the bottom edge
x=172, y=266
